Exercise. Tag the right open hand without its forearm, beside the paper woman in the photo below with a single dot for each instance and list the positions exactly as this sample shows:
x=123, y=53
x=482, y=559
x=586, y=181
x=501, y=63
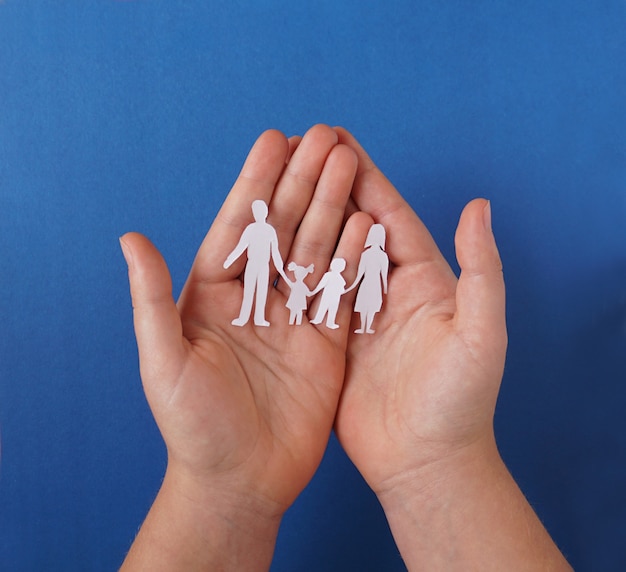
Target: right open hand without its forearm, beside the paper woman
x=425, y=384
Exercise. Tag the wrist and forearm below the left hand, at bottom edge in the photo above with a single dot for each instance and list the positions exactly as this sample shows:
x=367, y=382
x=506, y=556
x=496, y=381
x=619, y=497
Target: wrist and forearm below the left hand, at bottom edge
x=195, y=524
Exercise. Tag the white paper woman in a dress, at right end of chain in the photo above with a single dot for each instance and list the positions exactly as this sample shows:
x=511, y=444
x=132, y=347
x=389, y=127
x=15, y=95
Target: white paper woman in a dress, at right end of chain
x=373, y=269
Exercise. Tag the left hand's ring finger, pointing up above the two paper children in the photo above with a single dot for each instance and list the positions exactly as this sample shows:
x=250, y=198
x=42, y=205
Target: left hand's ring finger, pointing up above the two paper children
x=317, y=235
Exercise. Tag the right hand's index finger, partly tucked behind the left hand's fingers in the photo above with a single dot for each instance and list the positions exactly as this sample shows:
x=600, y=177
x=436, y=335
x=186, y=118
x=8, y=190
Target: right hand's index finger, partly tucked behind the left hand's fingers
x=408, y=239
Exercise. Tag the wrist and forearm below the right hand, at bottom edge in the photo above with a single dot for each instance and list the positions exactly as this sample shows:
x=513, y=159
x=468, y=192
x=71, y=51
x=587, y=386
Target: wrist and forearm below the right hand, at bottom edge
x=464, y=511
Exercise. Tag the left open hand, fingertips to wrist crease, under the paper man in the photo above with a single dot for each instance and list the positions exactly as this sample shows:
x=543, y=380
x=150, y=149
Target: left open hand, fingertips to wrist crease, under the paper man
x=250, y=406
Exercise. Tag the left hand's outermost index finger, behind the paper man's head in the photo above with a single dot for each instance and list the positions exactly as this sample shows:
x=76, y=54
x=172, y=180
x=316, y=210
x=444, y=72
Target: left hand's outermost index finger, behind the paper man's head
x=257, y=180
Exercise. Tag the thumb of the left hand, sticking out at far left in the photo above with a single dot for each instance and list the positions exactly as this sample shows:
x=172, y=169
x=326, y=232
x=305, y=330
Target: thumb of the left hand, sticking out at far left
x=158, y=326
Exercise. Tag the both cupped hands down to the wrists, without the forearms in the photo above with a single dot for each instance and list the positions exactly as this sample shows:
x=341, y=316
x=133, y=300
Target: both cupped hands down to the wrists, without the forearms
x=248, y=411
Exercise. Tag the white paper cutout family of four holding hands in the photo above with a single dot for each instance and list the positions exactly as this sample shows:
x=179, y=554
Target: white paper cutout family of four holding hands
x=260, y=243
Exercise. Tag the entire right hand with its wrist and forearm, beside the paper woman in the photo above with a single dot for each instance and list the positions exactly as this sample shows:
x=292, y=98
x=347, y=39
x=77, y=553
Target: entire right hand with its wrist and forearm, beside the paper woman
x=416, y=412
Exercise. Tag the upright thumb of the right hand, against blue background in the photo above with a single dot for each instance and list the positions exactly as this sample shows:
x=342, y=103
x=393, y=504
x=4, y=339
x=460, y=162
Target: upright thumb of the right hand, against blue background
x=480, y=297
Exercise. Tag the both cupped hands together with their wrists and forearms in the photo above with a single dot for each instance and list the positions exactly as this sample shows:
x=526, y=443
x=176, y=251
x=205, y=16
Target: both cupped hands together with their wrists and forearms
x=246, y=412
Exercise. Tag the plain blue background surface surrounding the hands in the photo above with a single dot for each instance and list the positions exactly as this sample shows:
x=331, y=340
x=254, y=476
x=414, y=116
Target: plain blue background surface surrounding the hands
x=118, y=116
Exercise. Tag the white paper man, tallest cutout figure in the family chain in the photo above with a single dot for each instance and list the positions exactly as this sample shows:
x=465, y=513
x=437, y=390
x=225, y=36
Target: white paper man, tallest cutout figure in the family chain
x=260, y=240
